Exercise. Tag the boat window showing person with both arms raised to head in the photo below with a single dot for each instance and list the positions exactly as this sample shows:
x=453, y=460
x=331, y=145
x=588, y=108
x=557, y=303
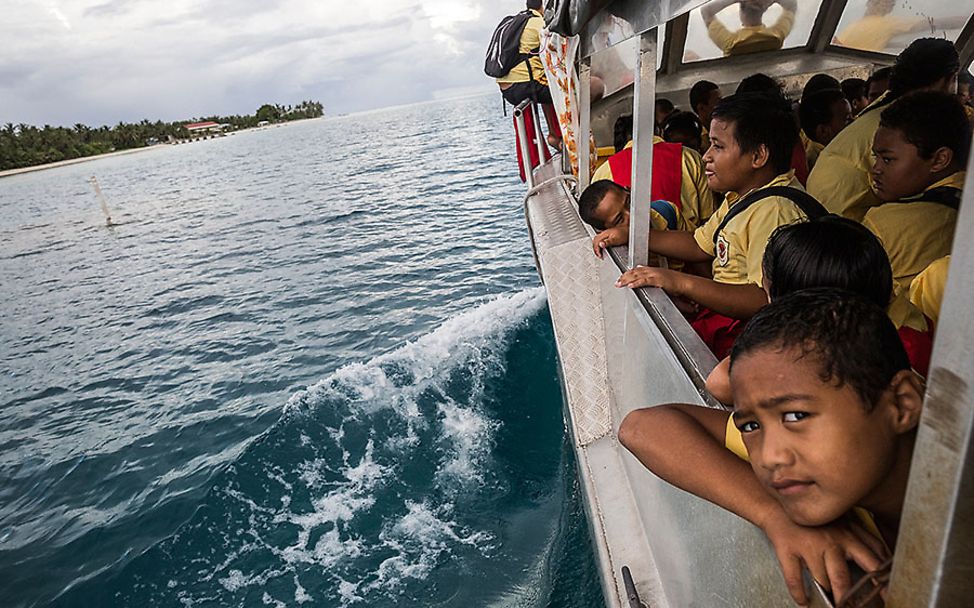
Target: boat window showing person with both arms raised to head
x=748, y=26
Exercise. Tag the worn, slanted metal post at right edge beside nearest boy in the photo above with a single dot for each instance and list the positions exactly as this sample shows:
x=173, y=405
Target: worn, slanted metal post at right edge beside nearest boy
x=934, y=561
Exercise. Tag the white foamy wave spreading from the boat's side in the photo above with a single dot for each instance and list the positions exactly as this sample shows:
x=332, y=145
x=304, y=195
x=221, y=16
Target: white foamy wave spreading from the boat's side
x=373, y=479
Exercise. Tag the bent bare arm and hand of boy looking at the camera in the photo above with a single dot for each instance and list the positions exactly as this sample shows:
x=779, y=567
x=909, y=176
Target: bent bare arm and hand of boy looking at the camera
x=683, y=444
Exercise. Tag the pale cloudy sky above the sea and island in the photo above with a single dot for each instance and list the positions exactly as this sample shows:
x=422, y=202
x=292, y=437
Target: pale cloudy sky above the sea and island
x=105, y=61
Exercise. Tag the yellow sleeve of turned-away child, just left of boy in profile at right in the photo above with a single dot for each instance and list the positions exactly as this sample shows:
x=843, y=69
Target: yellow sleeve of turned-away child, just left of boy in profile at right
x=841, y=186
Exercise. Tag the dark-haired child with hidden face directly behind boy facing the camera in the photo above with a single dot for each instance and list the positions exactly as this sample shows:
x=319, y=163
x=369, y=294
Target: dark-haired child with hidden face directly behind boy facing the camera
x=833, y=251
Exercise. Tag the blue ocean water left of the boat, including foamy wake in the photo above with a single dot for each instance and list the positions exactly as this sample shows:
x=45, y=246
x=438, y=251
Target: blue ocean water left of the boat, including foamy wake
x=307, y=366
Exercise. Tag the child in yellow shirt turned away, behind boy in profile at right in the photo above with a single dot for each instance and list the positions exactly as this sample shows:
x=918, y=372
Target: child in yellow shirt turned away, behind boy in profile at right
x=840, y=179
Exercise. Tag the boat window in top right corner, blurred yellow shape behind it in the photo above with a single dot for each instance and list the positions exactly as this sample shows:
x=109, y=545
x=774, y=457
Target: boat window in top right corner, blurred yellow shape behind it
x=888, y=26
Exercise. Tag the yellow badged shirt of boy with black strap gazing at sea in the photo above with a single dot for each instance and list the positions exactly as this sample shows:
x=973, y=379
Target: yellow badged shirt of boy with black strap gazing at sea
x=745, y=237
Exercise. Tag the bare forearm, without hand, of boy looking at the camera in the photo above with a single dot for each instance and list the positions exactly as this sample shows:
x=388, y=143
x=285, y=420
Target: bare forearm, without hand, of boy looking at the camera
x=678, y=449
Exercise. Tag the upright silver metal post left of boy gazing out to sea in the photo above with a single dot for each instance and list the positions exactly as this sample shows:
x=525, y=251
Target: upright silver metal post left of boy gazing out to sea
x=644, y=121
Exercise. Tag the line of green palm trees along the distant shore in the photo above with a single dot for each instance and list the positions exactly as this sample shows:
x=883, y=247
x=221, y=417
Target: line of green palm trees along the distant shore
x=25, y=145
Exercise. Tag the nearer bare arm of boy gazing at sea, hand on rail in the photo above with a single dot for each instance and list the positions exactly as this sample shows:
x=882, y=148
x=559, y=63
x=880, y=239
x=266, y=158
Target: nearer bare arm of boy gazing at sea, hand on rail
x=735, y=301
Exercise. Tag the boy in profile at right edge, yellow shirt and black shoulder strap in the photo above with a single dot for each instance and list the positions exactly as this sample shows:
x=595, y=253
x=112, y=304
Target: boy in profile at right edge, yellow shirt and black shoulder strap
x=921, y=149
